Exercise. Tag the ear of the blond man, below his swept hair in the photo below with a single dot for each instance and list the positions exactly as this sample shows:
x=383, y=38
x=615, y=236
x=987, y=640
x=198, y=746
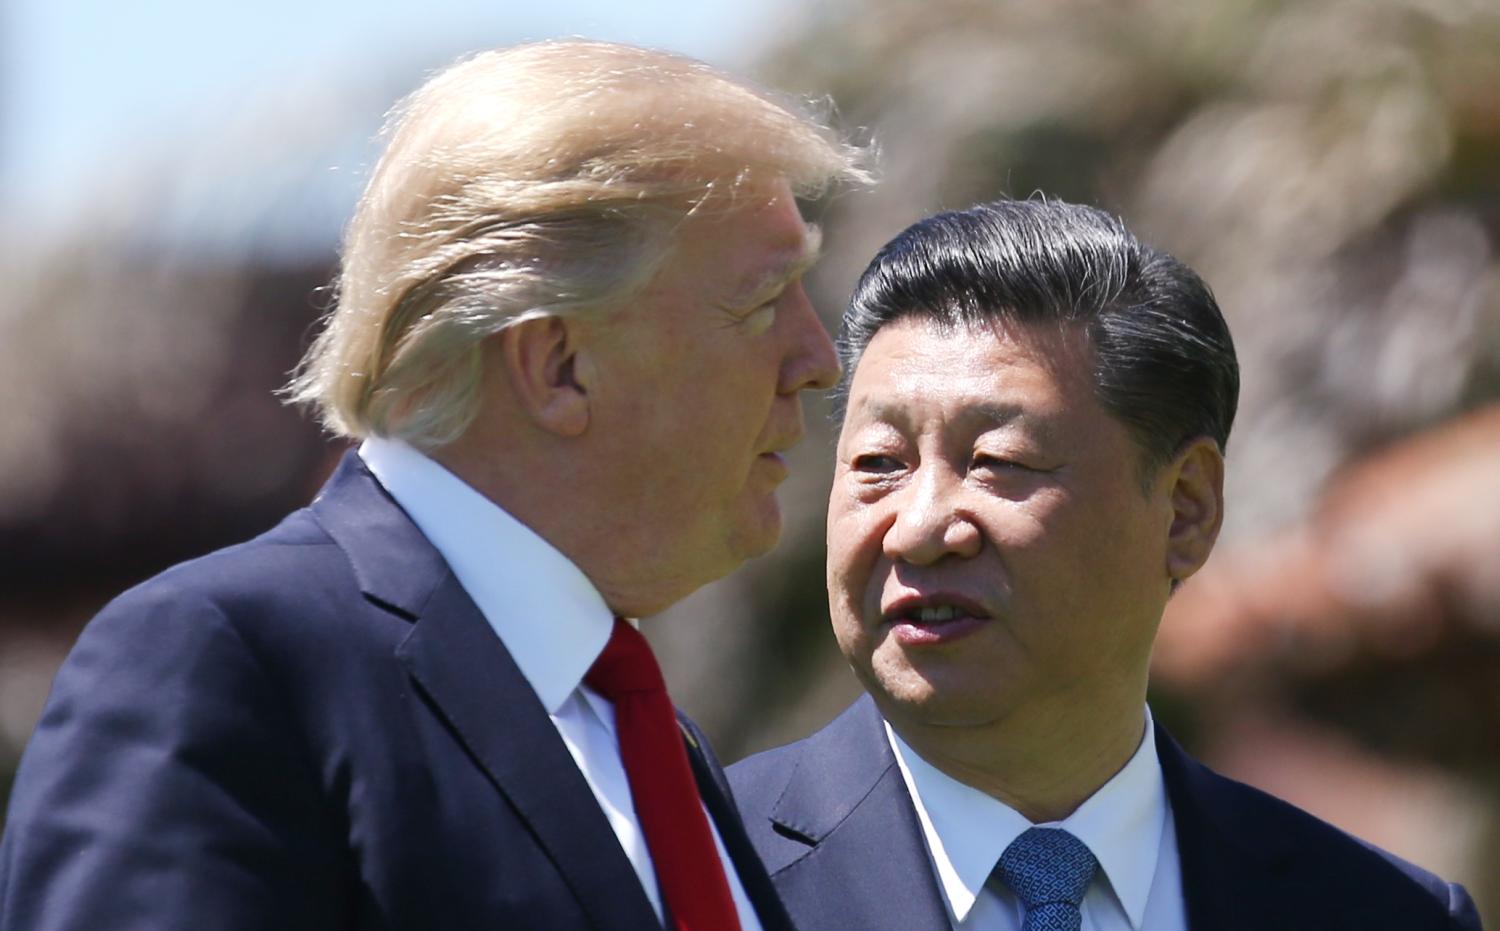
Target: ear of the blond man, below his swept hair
x=548, y=374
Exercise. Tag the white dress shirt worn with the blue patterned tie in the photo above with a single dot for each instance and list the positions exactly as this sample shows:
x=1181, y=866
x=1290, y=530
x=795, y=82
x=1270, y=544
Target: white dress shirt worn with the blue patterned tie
x=1127, y=824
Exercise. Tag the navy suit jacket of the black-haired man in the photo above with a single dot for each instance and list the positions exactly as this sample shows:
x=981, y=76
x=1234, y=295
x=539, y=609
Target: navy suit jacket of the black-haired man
x=836, y=827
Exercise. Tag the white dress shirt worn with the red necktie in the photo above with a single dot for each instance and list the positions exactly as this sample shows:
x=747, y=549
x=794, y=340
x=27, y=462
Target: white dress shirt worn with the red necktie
x=553, y=621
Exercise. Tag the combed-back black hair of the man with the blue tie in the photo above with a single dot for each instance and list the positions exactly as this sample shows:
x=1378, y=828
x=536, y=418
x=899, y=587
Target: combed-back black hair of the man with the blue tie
x=1163, y=359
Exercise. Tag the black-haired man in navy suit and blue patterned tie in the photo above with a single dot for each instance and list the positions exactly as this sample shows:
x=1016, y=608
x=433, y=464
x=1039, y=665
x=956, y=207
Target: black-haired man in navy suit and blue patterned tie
x=1036, y=410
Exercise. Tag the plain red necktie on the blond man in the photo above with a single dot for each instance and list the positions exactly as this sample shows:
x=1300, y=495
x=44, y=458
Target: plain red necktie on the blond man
x=682, y=843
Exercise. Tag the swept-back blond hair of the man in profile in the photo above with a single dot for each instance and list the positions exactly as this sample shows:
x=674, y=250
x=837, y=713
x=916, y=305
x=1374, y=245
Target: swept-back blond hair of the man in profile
x=538, y=181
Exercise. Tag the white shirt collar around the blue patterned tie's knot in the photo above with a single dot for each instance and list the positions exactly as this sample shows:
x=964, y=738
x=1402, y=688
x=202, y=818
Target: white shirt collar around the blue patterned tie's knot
x=968, y=830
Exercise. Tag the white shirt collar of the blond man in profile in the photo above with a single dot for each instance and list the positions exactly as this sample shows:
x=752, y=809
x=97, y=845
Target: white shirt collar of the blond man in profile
x=544, y=608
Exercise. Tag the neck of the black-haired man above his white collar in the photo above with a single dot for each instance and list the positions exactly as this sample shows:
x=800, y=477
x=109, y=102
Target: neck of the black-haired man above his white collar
x=1043, y=762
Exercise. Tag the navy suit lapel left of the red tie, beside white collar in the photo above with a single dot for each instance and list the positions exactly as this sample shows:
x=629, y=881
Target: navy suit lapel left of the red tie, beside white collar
x=472, y=680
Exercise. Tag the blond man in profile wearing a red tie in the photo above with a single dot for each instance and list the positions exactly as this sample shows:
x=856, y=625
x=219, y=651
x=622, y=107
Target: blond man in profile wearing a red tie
x=572, y=338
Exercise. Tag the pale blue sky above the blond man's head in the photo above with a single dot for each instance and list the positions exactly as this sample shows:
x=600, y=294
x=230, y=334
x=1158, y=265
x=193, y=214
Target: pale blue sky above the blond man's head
x=92, y=88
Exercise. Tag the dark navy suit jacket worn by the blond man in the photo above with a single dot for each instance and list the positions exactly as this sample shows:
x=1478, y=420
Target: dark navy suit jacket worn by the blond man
x=320, y=731
